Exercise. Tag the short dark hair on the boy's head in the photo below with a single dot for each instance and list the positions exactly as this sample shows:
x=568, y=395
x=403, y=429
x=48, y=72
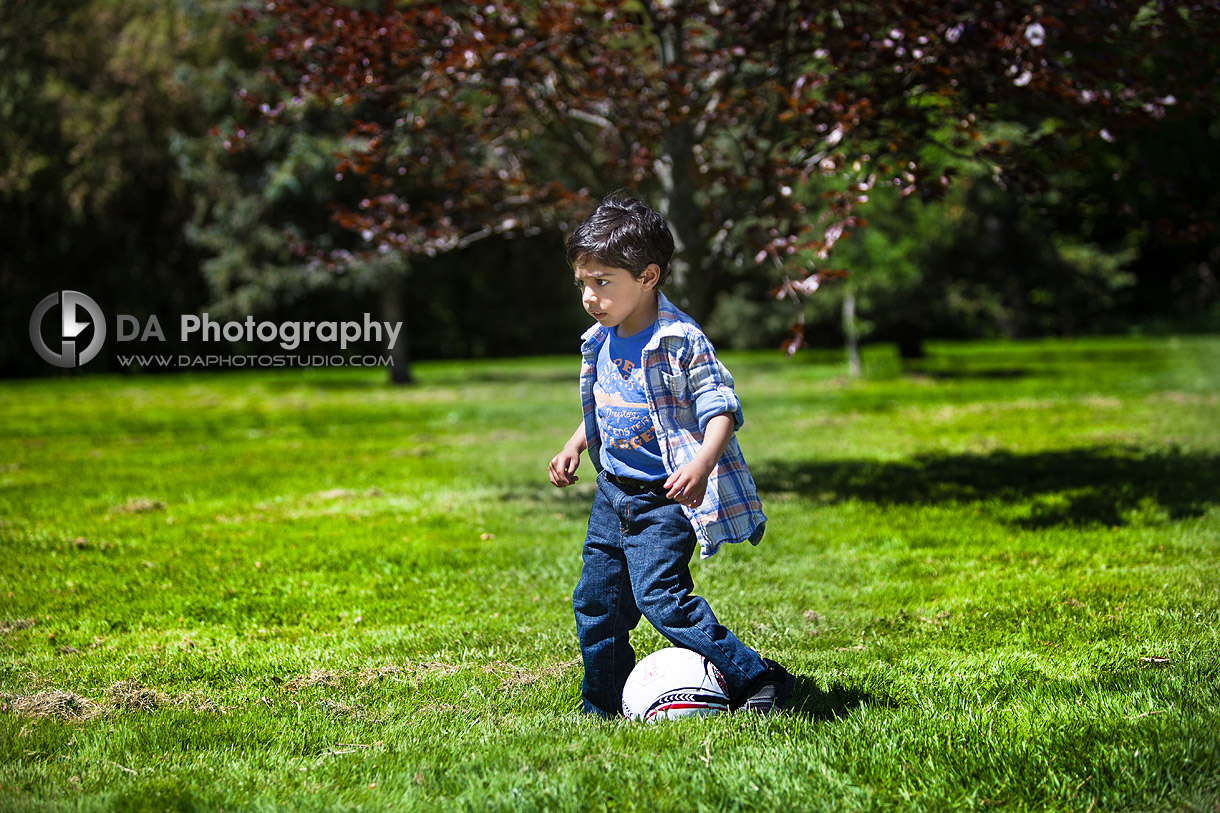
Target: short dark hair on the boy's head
x=624, y=234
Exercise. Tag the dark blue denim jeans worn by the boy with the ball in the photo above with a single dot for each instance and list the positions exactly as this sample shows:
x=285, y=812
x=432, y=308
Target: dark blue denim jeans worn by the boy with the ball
x=636, y=563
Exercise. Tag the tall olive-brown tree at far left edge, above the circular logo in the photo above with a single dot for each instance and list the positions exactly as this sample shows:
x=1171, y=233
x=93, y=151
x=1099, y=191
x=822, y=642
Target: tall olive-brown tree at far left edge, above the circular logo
x=90, y=192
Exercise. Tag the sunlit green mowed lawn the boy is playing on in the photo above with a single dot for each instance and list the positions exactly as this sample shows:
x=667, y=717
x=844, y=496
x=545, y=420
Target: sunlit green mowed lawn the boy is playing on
x=997, y=576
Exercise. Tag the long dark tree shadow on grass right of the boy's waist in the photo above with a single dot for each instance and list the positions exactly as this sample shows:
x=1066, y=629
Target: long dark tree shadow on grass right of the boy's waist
x=1102, y=485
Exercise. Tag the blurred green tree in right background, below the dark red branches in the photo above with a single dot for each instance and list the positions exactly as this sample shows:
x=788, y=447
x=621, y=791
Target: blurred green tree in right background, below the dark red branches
x=978, y=262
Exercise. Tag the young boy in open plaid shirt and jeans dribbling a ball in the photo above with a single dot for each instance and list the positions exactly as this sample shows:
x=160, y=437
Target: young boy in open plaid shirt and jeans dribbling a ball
x=659, y=419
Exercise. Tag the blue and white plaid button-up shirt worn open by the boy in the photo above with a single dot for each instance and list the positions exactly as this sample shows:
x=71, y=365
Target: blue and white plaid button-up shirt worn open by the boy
x=686, y=388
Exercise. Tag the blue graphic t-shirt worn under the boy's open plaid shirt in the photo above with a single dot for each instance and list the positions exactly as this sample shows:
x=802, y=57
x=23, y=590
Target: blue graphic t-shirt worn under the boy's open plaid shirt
x=629, y=440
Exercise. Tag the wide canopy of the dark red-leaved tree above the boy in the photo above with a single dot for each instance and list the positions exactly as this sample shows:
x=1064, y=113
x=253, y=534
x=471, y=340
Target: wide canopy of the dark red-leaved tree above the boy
x=758, y=128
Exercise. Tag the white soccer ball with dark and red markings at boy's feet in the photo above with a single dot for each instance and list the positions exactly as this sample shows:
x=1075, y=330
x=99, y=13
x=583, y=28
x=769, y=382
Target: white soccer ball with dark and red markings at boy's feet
x=674, y=683
